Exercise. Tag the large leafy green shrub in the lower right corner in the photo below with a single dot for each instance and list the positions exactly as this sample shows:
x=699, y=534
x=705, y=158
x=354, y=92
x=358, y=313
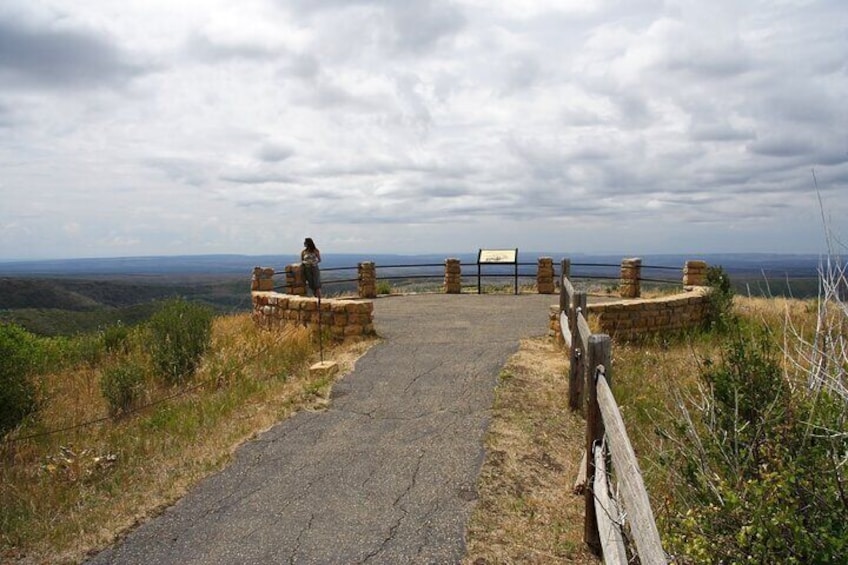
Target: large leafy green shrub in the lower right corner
x=760, y=463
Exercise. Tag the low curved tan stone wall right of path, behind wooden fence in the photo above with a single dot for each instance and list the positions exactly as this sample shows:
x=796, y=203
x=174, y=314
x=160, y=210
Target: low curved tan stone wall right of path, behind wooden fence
x=633, y=319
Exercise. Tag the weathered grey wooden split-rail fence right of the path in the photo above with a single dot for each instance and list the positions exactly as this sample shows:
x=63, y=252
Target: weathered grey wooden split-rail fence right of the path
x=606, y=441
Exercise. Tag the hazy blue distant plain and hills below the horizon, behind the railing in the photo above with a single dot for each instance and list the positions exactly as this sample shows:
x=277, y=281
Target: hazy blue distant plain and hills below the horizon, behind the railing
x=68, y=296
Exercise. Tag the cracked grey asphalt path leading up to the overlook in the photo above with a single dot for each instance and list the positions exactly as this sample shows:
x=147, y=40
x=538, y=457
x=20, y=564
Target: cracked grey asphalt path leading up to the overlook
x=386, y=475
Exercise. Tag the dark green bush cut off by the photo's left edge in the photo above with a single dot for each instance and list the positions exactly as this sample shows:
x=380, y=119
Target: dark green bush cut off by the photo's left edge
x=19, y=357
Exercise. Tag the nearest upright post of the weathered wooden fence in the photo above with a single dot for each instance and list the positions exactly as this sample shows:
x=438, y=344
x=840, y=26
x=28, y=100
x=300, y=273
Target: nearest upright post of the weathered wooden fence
x=598, y=359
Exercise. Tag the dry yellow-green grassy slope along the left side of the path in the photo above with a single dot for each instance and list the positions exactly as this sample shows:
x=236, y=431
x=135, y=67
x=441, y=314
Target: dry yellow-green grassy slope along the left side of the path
x=66, y=494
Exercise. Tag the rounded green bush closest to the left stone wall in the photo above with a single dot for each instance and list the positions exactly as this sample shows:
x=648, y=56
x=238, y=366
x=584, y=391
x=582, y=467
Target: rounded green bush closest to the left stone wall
x=180, y=333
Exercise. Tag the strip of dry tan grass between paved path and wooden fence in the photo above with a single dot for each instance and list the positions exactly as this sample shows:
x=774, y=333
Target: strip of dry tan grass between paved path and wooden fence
x=527, y=512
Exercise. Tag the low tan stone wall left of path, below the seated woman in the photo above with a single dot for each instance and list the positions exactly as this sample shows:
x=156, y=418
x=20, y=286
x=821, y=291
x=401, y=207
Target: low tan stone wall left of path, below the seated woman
x=343, y=319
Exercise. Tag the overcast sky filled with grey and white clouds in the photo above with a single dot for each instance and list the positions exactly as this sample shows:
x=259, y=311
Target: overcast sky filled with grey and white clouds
x=148, y=127
